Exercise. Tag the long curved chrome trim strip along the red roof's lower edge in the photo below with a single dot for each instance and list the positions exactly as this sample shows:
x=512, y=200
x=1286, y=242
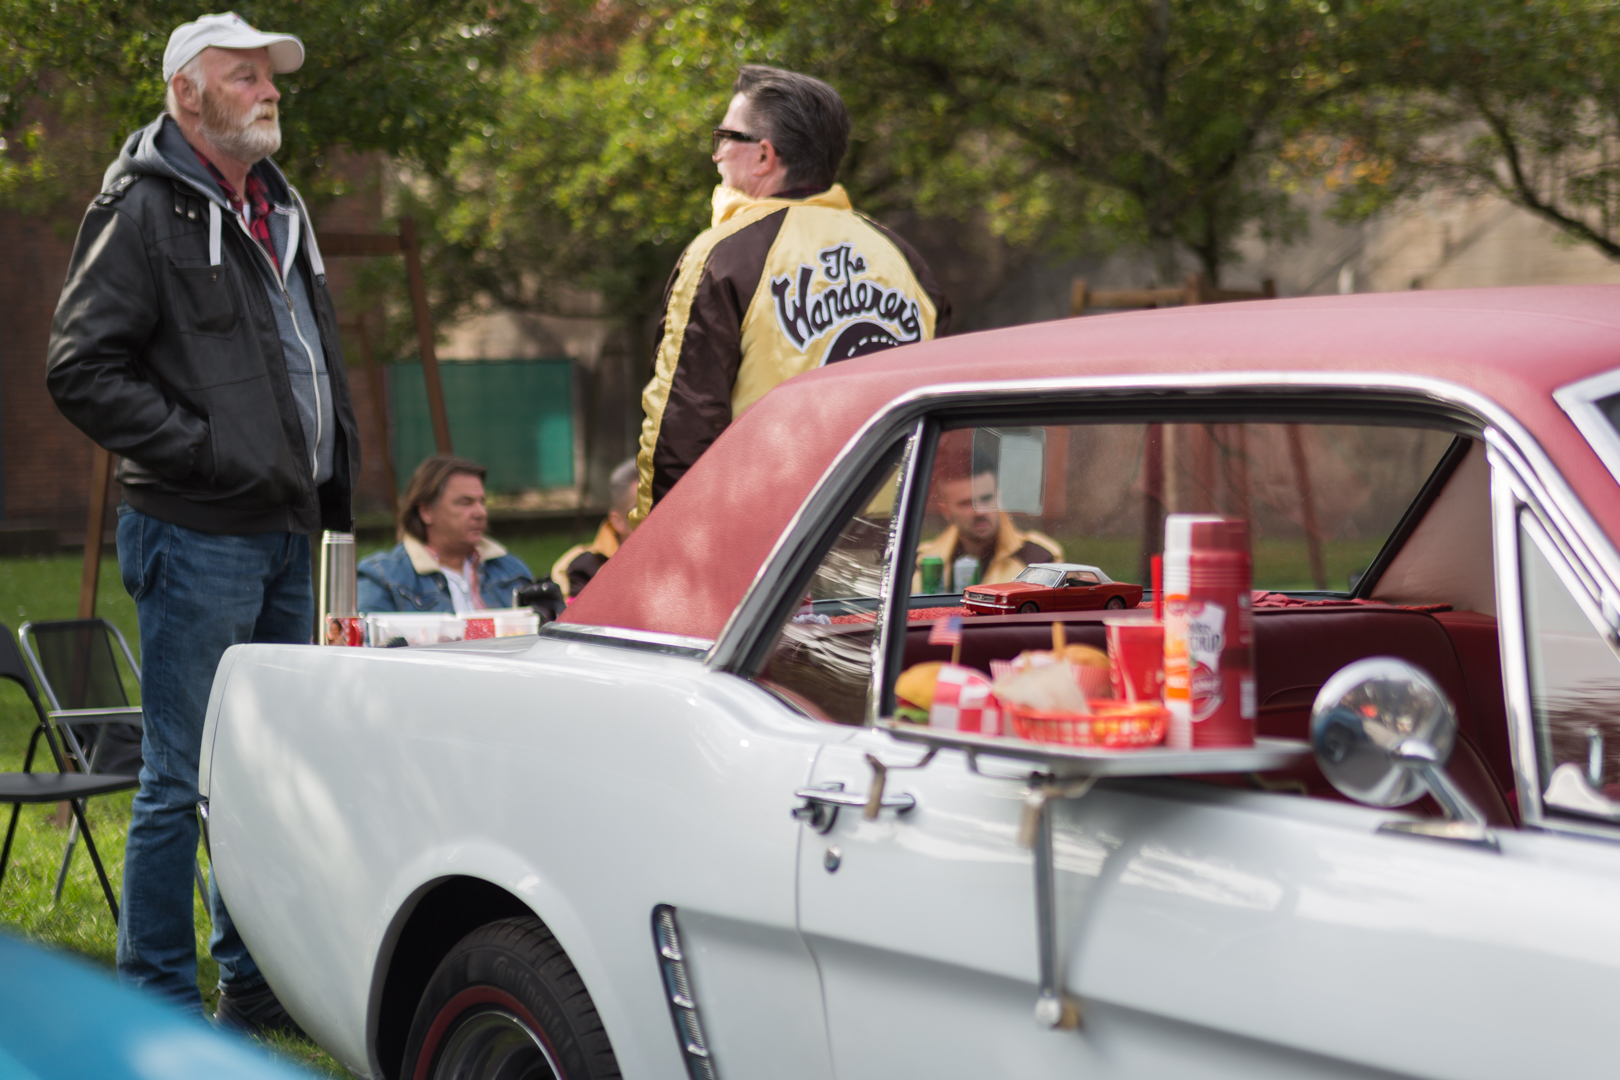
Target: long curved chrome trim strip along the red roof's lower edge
x=877, y=435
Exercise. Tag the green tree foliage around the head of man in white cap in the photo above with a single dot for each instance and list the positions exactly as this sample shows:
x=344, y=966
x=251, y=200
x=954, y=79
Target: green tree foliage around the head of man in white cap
x=404, y=77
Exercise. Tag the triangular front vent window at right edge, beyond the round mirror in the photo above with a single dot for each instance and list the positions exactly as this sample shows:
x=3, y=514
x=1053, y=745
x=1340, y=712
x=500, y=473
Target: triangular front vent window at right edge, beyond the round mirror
x=1574, y=684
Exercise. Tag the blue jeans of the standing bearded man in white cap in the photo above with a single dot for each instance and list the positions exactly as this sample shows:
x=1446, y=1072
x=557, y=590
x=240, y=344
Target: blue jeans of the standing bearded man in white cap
x=195, y=595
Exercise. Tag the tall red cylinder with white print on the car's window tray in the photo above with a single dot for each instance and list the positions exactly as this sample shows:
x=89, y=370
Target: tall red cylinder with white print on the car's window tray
x=1221, y=634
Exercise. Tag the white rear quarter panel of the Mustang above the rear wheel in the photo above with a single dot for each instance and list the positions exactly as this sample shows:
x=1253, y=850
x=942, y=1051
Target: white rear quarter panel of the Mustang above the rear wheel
x=590, y=783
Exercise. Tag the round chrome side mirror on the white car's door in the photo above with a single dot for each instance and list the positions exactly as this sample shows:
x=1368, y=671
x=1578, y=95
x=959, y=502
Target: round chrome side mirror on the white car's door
x=1383, y=733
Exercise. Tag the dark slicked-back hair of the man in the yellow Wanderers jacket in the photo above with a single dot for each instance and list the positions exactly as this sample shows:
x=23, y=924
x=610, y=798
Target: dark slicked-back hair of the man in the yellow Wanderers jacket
x=804, y=119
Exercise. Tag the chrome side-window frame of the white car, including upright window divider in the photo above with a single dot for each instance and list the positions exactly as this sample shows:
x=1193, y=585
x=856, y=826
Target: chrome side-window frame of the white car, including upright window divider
x=1261, y=398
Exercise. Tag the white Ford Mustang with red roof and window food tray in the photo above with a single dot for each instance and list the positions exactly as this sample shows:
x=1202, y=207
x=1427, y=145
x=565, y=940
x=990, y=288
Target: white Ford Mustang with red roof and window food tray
x=618, y=848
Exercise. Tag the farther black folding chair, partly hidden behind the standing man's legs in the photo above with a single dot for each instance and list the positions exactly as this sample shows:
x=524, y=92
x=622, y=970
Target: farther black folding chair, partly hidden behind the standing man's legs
x=75, y=668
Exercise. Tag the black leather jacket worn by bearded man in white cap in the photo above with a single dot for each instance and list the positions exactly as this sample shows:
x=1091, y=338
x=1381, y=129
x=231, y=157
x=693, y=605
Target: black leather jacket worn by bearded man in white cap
x=177, y=367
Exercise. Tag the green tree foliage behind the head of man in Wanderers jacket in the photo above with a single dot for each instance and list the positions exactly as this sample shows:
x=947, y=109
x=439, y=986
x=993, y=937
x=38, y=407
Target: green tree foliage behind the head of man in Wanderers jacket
x=1055, y=122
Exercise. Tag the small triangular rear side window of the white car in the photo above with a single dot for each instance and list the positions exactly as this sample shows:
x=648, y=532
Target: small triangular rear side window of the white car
x=822, y=658
